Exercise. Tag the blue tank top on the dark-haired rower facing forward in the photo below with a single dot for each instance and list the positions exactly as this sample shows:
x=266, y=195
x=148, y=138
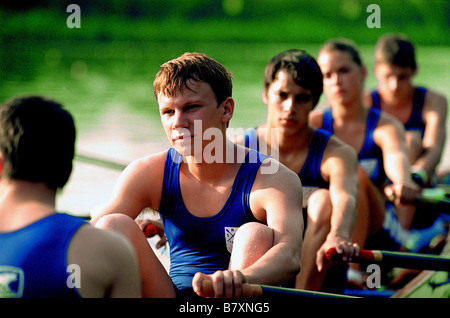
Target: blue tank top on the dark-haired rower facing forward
x=310, y=174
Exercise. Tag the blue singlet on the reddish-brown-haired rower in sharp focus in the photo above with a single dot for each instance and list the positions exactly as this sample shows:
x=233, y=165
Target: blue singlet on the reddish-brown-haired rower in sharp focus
x=203, y=244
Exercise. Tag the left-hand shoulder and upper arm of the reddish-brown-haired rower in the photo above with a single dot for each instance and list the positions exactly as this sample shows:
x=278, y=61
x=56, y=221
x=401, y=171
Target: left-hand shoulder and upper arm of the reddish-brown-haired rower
x=138, y=187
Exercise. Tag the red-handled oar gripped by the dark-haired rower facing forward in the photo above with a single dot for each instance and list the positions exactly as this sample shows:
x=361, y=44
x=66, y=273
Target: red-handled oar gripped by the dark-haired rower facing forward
x=397, y=259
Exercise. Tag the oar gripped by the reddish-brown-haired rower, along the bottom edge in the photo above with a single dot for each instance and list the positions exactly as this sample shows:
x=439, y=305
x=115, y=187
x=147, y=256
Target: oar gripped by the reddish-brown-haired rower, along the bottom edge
x=255, y=290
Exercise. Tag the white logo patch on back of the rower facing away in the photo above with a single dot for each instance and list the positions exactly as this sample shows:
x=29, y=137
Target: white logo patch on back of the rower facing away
x=11, y=282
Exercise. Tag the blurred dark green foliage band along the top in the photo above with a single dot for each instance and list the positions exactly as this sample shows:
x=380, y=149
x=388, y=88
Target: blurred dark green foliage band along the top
x=308, y=21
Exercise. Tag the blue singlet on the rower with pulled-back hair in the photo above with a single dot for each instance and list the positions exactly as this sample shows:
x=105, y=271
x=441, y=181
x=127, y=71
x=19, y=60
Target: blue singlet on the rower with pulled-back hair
x=370, y=157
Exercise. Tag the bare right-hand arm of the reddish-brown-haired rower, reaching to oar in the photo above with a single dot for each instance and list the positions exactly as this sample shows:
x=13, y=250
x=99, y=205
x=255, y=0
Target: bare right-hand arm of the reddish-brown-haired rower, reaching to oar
x=278, y=197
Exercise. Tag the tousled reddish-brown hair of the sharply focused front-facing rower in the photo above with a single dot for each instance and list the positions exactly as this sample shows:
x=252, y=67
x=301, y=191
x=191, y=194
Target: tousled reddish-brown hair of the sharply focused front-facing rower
x=174, y=75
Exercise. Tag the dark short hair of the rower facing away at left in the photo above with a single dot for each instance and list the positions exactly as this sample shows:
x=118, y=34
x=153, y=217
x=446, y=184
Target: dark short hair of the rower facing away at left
x=37, y=140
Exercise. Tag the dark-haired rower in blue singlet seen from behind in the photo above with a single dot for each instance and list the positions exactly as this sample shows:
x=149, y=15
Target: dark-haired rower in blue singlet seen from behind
x=43, y=253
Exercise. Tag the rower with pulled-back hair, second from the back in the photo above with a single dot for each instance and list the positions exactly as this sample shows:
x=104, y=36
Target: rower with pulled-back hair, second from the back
x=377, y=137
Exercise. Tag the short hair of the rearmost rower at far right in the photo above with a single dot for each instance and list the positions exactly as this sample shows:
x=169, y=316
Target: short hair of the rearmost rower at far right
x=395, y=50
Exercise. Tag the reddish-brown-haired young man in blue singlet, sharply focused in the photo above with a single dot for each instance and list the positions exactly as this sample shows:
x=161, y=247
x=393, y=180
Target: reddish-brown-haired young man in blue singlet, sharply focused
x=205, y=192
